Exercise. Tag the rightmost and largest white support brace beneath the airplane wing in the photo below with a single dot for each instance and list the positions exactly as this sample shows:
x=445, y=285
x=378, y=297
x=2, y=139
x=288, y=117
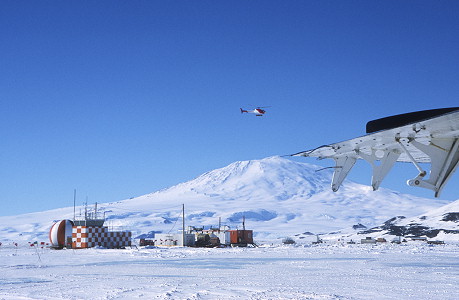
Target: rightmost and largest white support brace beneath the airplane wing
x=444, y=157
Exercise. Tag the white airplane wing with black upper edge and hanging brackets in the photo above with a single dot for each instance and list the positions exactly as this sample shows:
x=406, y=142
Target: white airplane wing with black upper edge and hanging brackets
x=429, y=136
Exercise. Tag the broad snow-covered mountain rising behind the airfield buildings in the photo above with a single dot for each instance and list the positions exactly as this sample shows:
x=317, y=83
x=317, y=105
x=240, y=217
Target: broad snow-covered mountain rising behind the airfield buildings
x=278, y=197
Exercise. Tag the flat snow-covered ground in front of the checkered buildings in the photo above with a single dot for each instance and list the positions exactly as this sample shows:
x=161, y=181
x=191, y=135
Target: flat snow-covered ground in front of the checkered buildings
x=326, y=271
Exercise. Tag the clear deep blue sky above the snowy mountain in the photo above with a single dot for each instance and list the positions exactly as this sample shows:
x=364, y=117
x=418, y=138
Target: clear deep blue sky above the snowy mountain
x=122, y=98
